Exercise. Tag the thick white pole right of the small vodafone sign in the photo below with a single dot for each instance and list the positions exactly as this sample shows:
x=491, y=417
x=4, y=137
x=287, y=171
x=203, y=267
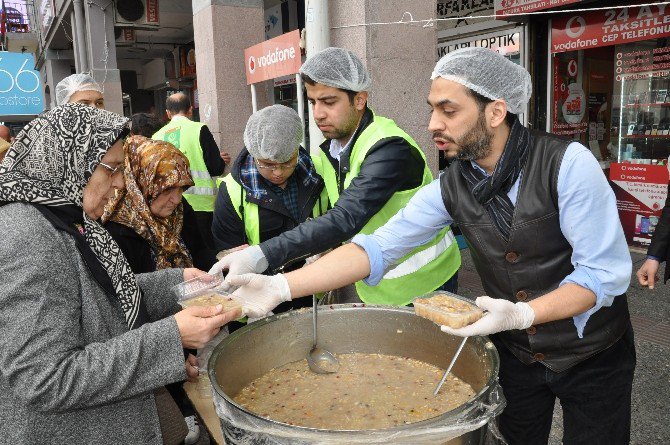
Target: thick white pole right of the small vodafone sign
x=317, y=37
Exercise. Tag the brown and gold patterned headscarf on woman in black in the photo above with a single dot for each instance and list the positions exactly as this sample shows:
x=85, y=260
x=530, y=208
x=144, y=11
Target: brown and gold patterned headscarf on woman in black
x=151, y=167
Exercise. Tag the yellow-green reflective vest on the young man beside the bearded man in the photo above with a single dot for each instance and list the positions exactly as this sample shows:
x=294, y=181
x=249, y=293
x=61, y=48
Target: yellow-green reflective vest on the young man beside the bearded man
x=425, y=268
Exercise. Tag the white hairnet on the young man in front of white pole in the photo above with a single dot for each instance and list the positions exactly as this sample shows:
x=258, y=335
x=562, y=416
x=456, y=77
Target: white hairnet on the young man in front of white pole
x=337, y=68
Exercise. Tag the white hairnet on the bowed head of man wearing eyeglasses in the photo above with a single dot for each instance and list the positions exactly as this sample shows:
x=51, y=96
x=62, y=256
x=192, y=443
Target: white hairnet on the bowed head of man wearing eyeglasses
x=273, y=133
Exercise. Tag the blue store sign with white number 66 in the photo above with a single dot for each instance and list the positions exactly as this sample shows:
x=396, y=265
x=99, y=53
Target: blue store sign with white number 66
x=20, y=85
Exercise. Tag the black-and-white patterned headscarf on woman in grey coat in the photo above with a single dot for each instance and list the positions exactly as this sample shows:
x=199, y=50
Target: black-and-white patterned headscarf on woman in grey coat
x=50, y=163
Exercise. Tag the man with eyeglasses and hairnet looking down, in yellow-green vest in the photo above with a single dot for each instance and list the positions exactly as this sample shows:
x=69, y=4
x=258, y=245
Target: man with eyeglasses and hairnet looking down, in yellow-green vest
x=273, y=185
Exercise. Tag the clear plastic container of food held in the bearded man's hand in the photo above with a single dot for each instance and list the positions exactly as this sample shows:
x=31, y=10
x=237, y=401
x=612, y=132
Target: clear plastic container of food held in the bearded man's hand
x=446, y=308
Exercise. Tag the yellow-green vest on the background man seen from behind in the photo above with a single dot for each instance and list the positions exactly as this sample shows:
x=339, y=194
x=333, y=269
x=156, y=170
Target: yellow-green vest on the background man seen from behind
x=185, y=135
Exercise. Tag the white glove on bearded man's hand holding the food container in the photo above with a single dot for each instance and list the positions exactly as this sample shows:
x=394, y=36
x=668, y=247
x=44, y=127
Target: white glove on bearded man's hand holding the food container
x=502, y=315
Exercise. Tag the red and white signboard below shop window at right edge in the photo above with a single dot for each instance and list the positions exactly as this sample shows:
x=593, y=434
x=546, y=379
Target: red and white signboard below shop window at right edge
x=641, y=190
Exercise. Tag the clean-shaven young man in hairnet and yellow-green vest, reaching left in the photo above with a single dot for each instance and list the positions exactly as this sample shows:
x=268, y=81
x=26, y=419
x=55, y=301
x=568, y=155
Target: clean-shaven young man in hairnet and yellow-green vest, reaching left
x=371, y=168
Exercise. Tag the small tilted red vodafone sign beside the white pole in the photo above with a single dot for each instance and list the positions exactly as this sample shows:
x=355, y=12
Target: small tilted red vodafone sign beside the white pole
x=273, y=58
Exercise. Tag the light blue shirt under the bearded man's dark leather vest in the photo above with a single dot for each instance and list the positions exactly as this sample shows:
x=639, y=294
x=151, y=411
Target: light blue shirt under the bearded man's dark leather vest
x=587, y=214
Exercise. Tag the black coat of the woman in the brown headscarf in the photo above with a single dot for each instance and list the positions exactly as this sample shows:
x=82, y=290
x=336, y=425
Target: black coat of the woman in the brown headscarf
x=138, y=252
